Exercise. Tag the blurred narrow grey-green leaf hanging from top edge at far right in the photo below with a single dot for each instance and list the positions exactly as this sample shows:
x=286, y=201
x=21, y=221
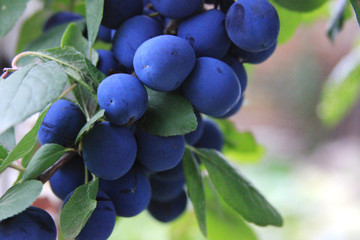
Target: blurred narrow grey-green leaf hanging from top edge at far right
x=338, y=17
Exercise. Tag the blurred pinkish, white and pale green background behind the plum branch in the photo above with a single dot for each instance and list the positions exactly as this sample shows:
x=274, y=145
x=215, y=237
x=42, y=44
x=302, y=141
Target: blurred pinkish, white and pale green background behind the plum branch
x=309, y=172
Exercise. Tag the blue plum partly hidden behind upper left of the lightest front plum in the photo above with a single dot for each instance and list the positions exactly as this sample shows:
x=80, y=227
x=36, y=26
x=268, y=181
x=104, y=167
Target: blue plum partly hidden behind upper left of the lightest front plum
x=131, y=34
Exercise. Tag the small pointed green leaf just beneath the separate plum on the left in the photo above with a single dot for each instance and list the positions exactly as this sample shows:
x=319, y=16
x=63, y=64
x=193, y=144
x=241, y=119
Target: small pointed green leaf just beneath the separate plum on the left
x=44, y=158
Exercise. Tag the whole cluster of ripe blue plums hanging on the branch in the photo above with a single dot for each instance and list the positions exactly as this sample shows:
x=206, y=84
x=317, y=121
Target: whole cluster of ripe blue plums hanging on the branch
x=179, y=46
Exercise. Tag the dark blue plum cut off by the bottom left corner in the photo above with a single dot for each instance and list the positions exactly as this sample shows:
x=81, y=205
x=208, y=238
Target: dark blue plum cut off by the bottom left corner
x=31, y=224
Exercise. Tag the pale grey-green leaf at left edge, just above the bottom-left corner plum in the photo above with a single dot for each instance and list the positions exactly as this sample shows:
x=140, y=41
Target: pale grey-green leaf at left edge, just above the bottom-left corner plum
x=18, y=198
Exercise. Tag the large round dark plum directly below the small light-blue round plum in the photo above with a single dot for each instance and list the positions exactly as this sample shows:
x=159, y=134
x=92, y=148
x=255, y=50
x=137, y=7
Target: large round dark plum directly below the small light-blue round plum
x=109, y=151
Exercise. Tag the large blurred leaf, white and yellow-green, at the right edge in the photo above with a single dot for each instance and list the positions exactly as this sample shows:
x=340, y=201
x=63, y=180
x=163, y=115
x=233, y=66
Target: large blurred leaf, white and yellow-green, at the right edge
x=341, y=90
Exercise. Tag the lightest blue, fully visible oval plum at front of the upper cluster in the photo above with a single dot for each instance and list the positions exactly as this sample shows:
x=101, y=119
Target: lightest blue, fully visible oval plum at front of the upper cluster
x=162, y=63
